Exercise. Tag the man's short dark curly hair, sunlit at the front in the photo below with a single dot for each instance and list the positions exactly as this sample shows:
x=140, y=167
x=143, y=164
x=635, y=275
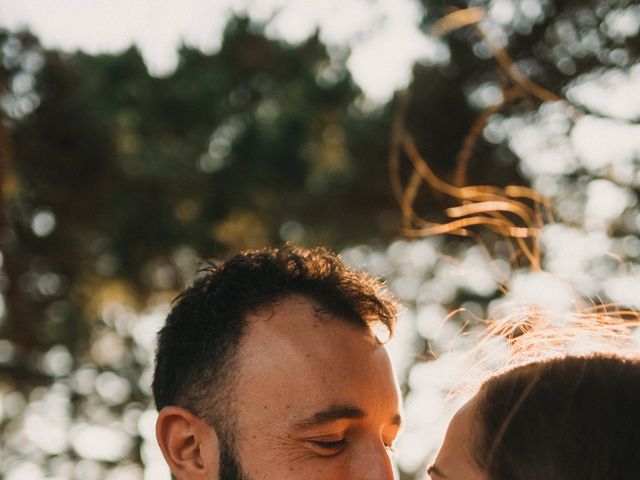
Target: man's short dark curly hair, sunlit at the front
x=197, y=348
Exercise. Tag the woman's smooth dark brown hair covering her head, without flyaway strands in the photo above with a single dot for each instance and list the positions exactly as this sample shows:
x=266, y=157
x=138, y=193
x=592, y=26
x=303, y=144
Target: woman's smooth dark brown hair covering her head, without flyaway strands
x=565, y=418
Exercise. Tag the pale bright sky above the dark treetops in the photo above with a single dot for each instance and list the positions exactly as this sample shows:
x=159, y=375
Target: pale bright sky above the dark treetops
x=383, y=35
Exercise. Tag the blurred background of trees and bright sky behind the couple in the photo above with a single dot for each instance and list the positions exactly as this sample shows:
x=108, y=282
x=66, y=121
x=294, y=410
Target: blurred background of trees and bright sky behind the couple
x=138, y=138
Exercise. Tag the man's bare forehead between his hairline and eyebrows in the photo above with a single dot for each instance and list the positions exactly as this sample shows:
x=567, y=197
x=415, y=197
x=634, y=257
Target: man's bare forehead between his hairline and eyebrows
x=291, y=352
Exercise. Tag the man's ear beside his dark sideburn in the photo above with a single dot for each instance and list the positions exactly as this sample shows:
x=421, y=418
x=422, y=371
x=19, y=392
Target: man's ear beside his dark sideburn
x=189, y=445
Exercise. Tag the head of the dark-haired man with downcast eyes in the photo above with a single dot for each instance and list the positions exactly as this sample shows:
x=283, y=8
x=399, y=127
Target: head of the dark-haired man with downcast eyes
x=268, y=367
